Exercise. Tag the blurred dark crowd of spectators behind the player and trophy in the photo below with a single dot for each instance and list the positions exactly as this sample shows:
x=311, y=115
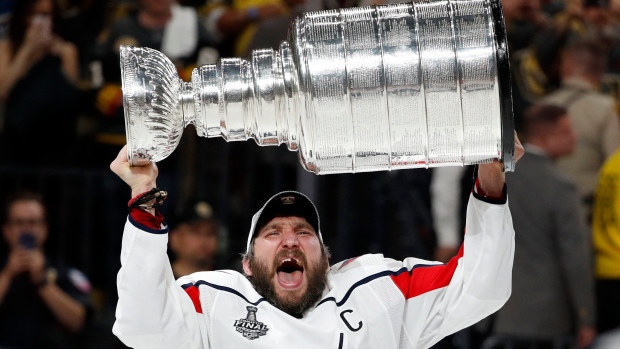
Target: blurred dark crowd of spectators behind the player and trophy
x=62, y=123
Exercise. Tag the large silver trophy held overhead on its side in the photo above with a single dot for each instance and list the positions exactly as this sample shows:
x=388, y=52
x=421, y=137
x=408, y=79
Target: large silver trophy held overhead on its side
x=387, y=87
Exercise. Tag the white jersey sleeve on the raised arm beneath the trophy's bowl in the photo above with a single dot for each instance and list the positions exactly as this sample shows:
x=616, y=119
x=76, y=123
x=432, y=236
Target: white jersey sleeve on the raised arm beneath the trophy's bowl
x=153, y=311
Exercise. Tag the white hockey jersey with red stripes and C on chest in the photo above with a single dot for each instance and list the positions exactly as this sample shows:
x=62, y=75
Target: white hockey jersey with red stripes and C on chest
x=370, y=302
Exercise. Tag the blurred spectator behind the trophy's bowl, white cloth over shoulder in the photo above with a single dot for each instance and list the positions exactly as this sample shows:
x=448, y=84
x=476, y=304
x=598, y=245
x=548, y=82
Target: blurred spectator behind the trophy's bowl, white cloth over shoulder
x=162, y=25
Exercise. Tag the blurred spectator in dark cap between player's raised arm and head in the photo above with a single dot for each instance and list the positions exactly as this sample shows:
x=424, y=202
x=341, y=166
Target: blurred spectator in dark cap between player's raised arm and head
x=194, y=241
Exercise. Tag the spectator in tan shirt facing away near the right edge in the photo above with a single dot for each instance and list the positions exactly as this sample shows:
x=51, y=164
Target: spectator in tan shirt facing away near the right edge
x=593, y=116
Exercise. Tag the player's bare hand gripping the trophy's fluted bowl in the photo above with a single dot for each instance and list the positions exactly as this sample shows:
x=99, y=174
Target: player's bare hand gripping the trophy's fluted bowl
x=140, y=178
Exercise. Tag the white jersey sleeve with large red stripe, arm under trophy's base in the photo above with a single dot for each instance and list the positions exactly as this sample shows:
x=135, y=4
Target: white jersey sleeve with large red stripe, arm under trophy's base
x=441, y=299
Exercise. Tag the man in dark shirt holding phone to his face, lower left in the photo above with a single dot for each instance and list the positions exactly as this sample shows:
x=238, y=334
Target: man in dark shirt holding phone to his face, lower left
x=42, y=305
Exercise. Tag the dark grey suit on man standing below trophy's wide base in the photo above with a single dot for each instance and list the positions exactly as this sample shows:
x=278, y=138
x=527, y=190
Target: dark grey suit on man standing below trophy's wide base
x=552, y=276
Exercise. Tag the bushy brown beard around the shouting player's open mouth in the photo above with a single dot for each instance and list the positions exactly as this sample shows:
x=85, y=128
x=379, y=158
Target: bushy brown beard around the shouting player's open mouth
x=291, y=303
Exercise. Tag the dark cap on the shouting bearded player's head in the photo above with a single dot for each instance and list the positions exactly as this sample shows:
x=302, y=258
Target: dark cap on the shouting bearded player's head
x=284, y=204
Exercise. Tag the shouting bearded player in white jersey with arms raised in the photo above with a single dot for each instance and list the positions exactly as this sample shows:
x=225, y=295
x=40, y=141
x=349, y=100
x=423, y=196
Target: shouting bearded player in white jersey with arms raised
x=291, y=298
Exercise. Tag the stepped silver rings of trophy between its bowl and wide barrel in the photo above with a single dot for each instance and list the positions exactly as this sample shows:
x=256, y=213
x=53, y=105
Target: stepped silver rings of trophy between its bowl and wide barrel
x=238, y=99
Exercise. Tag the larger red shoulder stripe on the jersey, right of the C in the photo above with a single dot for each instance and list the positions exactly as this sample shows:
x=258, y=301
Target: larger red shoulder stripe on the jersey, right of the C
x=426, y=279
